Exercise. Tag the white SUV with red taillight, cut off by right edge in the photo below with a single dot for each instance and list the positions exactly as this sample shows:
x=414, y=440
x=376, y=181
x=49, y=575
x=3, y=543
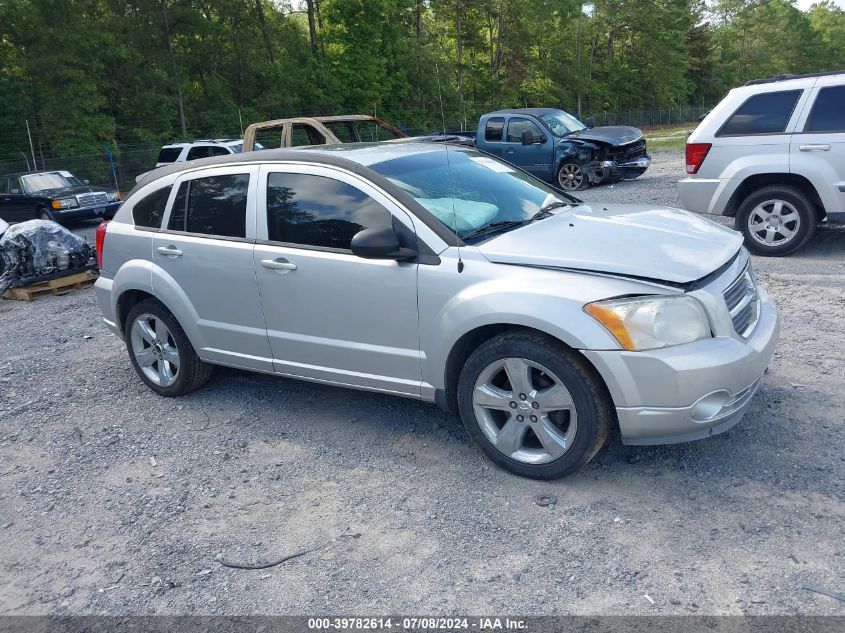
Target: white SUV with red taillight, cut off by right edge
x=772, y=154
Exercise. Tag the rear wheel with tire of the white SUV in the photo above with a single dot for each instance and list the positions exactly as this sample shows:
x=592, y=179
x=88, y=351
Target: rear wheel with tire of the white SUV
x=776, y=220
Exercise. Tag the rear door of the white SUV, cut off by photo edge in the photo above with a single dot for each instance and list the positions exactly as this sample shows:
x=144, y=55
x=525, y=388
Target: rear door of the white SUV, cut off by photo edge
x=818, y=146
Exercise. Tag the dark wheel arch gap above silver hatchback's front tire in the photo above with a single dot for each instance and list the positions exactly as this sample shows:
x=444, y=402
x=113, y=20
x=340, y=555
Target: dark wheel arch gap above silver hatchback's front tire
x=470, y=341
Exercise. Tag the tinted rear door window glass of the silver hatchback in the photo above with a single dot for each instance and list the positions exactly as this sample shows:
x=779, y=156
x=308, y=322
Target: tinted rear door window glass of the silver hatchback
x=215, y=205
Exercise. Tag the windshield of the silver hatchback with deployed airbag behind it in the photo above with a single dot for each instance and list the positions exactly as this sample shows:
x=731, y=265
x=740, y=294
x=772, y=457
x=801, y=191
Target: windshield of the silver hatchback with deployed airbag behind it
x=469, y=191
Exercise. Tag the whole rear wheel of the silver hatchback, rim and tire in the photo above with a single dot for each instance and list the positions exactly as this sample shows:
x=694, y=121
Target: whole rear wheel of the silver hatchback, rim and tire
x=160, y=351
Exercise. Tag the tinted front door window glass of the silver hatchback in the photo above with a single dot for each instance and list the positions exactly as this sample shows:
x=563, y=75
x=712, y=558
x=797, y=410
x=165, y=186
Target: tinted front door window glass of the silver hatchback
x=310, y=210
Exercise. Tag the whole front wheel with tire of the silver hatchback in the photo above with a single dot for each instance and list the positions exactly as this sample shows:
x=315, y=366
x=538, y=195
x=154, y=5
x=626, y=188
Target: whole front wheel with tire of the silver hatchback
x=533, y=406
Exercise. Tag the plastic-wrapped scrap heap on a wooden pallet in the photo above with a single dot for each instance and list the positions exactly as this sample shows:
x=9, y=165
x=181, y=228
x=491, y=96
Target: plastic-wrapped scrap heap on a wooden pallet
x=39, y=250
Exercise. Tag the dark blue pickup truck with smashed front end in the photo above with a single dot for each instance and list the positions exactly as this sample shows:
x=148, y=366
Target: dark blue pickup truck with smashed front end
x=556, y=147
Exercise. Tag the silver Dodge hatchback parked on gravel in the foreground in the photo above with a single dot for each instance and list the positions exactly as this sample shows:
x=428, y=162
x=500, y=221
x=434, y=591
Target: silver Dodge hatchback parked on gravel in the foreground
x=440, y=273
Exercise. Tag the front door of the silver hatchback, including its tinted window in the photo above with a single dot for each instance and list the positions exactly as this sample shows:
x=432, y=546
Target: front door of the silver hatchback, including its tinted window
x=333, y=316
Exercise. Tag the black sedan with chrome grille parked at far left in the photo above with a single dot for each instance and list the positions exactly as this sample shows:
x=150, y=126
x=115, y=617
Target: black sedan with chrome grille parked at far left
x=54, y=195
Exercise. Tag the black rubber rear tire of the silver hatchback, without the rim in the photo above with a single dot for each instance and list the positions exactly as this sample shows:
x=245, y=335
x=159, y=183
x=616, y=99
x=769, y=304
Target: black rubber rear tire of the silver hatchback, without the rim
x=193, y=373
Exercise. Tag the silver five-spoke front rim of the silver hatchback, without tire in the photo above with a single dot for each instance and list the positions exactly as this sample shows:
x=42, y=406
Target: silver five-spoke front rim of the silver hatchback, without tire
x=525, y=410
